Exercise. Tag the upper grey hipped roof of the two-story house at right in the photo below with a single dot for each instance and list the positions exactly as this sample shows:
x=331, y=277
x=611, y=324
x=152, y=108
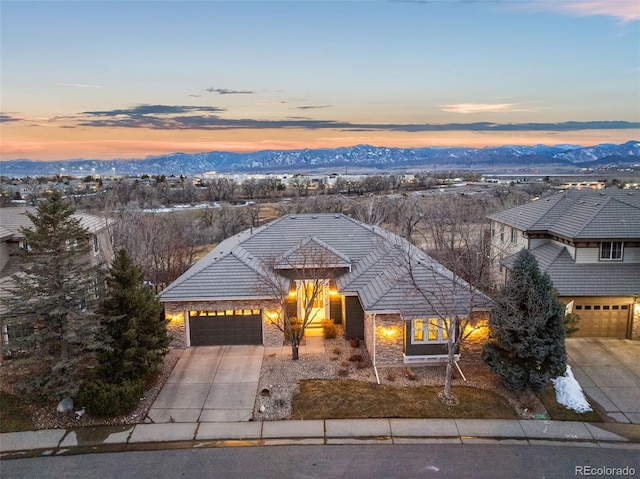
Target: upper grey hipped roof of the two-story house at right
x=579, y=214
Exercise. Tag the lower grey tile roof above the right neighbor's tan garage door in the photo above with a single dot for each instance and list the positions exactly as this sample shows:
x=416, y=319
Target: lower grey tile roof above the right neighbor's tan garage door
x=585, y=279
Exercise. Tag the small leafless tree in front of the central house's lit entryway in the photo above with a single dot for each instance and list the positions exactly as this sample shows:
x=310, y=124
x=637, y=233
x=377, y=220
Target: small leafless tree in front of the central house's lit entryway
x=302, y=276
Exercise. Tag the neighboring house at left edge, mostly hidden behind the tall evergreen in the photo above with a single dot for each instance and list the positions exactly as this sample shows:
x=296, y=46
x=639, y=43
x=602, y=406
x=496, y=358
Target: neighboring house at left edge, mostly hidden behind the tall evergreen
x=12, y=220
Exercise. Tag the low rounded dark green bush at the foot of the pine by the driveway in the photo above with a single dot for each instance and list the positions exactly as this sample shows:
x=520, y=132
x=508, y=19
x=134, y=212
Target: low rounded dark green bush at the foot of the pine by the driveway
x=104, y=399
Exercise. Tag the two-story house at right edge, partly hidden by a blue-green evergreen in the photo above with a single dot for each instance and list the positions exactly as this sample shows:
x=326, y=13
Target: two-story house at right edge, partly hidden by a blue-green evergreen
x=588, y=242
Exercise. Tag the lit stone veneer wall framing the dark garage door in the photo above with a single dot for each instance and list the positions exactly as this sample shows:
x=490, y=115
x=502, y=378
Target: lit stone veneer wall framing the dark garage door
x=176, y=312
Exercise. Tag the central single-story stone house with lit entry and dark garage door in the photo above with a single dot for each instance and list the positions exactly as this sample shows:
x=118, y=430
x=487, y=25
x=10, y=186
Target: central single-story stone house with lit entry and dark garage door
x=220, y=300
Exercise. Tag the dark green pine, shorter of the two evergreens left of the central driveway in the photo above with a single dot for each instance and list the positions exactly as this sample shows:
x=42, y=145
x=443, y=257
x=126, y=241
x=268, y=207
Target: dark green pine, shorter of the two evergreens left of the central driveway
x=133, y=323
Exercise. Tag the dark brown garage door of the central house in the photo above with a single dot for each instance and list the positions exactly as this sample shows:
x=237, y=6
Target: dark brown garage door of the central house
x=215, y=328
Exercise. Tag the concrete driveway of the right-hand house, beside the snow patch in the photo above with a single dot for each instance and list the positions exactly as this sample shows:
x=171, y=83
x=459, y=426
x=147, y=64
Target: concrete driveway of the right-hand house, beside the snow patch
x=609, y=372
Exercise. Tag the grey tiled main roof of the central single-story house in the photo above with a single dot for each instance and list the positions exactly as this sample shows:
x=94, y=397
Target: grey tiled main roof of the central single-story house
x=374, y=257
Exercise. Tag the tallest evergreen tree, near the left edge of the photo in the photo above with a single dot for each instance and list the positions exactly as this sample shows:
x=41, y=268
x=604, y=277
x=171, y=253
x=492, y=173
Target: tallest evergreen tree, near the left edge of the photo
x=53, y=301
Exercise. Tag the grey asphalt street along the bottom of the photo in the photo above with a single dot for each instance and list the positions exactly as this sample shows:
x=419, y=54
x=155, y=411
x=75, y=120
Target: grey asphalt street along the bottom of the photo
x=348, y=461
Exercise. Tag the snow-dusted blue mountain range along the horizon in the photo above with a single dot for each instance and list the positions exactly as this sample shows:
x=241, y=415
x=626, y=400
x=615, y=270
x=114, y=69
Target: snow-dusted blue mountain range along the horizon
x=358, y=157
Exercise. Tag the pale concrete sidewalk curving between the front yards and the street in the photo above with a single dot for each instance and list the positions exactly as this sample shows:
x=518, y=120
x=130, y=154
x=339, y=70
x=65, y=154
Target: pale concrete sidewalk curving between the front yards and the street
x=328, y=431
